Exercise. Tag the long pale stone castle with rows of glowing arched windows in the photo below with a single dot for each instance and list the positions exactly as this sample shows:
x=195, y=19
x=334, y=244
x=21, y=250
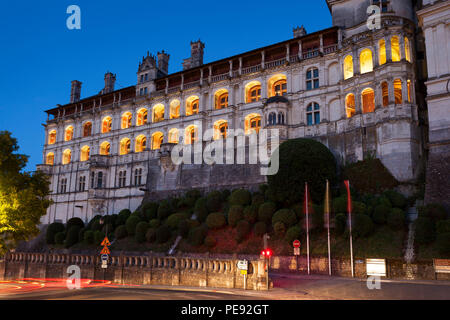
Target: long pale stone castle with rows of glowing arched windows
x=356, y=89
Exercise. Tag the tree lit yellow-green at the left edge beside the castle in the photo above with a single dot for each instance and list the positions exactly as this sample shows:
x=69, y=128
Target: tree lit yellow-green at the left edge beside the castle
x=23, y=195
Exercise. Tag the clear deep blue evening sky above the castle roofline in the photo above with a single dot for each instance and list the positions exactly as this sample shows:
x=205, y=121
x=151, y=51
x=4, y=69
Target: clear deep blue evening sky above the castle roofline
x=39, y=56
